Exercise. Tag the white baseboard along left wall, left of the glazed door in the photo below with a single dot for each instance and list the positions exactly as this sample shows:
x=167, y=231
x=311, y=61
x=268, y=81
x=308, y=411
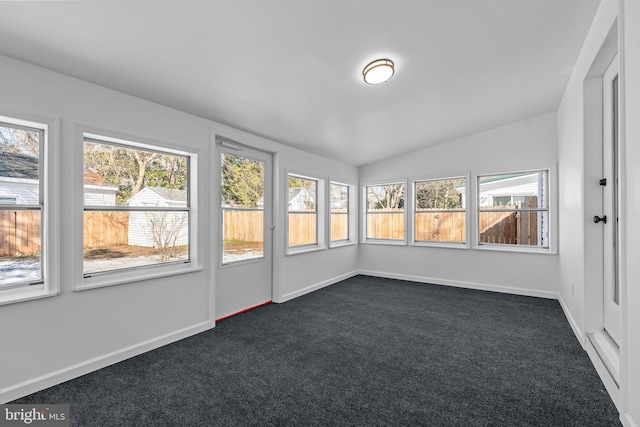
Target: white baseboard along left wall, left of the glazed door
x=48, y=380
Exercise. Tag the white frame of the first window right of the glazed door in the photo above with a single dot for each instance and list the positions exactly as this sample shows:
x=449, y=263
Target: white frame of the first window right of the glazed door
x=319, y=212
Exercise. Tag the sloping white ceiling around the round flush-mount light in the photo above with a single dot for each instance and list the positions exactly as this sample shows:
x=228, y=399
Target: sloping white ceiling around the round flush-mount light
x=290, y=70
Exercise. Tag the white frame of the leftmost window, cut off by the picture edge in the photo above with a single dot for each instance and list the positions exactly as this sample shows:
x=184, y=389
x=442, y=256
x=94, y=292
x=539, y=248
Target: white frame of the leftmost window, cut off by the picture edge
x=49, y=283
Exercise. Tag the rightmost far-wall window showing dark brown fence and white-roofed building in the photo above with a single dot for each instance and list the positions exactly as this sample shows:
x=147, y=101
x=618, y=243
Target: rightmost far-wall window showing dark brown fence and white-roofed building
x=513, y=209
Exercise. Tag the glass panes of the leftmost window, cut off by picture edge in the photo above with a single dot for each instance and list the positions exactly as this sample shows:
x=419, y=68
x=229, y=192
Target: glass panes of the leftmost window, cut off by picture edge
x=21, y=205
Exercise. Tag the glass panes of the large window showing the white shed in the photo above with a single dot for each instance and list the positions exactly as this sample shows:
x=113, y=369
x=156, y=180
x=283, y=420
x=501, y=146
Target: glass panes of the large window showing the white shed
x=136, y=207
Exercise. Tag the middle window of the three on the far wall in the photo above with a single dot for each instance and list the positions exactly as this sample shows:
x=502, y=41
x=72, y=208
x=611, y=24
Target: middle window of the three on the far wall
x=439, y=214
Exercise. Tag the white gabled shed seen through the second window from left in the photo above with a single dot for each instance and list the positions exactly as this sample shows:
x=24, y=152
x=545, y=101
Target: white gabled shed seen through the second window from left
x=165, y=225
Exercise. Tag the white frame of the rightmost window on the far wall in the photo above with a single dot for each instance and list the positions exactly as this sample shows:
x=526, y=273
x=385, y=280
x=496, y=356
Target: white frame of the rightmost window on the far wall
x=551, y=210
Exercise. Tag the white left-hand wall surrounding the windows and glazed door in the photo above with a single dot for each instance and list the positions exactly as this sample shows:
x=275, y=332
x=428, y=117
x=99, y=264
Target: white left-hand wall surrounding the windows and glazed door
x=54, y=339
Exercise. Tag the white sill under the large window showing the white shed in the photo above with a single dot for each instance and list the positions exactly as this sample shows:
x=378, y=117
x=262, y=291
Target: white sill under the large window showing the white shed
x=112, y=278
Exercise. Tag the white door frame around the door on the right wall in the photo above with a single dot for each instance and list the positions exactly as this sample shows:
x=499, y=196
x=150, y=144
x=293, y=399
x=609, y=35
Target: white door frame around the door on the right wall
x=605, y=354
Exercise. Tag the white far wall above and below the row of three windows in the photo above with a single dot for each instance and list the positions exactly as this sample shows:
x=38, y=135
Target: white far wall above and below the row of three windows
x=525, y=144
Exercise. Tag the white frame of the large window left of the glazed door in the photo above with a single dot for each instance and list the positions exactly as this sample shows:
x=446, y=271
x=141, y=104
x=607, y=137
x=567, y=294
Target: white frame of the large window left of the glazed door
x=134, y=274
